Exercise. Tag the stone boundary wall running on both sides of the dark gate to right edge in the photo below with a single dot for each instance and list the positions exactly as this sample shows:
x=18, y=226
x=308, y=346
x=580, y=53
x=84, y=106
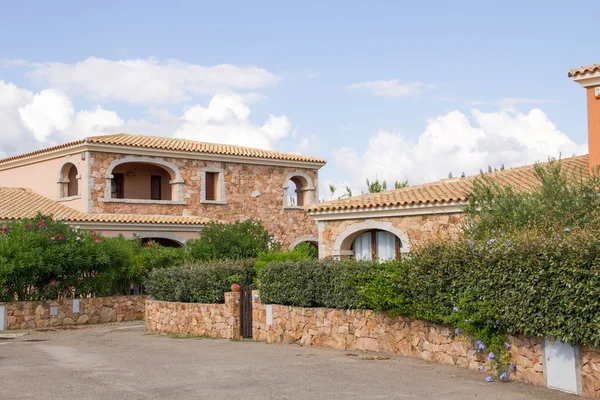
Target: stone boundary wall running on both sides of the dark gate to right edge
x=361, y=330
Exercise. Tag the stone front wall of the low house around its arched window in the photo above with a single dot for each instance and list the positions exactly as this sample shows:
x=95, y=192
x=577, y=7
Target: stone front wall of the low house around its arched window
x=412, y=230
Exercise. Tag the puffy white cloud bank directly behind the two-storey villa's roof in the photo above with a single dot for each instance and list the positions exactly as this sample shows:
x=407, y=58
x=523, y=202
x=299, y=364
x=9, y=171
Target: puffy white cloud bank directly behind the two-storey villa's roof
x=29, y=121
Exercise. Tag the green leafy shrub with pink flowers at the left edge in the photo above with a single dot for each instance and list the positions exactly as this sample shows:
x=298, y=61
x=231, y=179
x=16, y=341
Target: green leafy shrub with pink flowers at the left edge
x=45, y=259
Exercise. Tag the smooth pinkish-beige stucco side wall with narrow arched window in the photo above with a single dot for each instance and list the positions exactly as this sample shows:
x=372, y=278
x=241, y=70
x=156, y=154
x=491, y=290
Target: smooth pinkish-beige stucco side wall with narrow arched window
x=42, y=178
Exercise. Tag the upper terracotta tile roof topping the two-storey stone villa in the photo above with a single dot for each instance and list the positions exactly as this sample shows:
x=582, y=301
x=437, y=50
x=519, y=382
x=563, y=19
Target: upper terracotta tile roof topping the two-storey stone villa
x=152, y=142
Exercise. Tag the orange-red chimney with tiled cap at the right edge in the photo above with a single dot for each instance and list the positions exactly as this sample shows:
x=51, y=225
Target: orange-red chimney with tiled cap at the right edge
x=589, y=78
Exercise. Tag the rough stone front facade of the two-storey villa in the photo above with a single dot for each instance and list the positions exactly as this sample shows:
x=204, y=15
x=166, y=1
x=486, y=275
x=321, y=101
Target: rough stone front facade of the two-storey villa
x=251, y=191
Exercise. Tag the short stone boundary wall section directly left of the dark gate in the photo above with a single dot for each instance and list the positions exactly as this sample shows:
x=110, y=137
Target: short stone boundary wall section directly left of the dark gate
x=211, y=320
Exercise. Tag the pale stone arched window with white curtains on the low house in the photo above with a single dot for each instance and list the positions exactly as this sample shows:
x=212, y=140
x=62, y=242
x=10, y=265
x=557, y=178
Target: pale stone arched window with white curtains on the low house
x=345, y=244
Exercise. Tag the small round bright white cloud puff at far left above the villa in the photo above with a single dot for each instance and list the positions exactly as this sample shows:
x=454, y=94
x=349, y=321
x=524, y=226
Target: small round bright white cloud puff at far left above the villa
x=49, y=111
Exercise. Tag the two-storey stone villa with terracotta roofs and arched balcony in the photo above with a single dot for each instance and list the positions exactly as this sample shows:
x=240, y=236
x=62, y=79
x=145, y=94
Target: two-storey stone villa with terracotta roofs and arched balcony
x=161, y=188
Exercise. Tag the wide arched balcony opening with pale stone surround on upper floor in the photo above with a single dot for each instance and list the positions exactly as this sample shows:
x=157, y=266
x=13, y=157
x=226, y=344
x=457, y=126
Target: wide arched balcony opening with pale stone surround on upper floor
x=143, y=179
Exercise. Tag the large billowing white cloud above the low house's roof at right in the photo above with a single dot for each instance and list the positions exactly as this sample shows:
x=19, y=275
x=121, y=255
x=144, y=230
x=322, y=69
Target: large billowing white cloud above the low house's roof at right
x=457, y=143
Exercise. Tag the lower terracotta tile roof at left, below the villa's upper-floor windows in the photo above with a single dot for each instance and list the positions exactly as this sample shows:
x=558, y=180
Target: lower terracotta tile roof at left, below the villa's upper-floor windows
x=16, y=203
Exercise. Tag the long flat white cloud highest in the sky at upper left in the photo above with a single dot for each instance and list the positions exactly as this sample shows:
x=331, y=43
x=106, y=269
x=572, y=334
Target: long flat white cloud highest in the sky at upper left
x=146, y=80
